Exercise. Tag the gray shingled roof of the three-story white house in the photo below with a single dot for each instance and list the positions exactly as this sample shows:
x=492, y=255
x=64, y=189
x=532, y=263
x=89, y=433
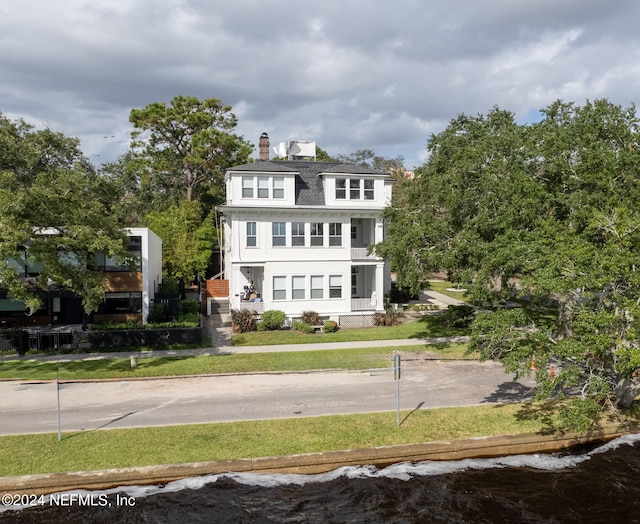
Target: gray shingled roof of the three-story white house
x=309, y=190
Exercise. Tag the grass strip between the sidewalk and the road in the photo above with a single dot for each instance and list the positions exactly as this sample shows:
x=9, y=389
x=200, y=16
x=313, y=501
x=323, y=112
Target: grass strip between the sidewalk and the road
x=348, y=359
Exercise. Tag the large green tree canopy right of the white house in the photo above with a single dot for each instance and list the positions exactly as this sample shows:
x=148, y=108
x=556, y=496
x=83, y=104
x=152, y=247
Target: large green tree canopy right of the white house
x=545, y=216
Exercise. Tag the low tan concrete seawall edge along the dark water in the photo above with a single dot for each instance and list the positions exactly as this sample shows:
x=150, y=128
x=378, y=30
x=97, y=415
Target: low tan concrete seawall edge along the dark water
x=313, y=463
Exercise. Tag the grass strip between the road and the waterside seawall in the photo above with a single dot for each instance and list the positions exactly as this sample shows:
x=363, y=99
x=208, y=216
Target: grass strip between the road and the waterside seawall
x=115, y=448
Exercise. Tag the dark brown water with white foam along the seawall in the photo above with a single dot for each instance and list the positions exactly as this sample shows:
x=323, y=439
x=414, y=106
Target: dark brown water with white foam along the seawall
x=601, y=485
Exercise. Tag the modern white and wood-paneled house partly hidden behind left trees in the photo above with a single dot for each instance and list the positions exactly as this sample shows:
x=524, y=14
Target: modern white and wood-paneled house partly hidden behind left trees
x=128, y=294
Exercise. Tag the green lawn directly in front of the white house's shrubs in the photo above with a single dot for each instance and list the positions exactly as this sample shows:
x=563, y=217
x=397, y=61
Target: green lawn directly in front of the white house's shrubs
x=424, y=327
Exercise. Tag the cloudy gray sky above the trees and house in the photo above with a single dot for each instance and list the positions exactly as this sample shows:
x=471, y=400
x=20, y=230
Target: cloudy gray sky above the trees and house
x=349, y=74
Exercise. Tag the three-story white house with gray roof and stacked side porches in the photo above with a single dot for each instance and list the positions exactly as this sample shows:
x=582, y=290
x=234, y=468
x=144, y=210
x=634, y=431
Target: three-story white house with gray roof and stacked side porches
x=297, y=237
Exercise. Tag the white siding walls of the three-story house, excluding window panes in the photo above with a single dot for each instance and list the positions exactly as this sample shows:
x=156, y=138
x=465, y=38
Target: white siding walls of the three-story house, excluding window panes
x=259, y=264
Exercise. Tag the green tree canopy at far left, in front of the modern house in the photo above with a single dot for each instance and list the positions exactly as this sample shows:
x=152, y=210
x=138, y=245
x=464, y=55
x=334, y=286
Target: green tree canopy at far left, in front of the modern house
x=55, y=212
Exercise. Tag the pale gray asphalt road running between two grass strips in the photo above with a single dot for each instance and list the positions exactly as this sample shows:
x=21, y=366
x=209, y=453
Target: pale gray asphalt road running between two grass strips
x=31, y=407
